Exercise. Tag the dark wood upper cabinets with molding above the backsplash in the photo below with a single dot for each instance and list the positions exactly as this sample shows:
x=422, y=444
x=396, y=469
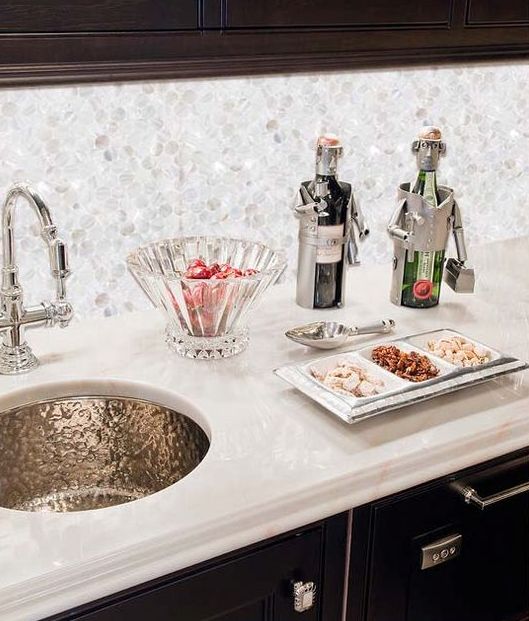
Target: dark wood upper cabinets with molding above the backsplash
x=60, y=41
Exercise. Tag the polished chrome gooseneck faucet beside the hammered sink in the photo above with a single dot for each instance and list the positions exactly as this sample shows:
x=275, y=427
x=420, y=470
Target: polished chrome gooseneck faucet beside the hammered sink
x=15, y=353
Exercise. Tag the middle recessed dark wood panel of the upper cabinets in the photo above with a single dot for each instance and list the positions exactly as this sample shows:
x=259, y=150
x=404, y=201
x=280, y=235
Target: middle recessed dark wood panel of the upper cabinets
x=335, y=14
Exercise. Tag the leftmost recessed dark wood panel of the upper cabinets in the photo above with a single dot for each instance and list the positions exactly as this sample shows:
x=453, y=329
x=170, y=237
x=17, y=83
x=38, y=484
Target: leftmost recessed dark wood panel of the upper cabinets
x=97, y=16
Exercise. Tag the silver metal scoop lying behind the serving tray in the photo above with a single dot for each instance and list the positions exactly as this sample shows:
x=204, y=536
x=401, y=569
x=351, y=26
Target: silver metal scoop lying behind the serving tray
x=331, y=334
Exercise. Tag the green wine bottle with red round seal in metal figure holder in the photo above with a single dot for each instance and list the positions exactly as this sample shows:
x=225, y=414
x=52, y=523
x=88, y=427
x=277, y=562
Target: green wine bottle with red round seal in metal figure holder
x=423, y=273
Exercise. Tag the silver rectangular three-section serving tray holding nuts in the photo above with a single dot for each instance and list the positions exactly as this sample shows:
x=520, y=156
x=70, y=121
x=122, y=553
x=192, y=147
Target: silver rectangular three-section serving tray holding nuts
x=398, y=392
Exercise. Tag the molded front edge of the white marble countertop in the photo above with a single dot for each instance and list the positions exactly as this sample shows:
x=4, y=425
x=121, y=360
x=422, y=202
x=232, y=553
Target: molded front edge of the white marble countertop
x=157, y=556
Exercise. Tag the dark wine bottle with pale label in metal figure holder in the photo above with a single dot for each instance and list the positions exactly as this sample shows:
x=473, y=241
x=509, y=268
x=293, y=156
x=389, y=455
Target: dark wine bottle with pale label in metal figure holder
x=326, y=188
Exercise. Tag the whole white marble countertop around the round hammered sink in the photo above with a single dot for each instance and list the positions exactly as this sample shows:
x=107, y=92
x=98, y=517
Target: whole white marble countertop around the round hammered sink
x=277, y=460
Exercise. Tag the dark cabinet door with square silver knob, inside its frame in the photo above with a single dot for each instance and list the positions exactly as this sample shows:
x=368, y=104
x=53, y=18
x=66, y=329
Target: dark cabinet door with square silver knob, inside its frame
x=256, y=587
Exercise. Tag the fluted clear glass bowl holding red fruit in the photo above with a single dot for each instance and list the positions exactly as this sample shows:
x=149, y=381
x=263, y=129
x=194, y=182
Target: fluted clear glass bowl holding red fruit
x=206, y=318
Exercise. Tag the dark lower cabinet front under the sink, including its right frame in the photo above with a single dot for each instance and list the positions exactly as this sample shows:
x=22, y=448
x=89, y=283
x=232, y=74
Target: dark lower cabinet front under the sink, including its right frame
x=253, y=585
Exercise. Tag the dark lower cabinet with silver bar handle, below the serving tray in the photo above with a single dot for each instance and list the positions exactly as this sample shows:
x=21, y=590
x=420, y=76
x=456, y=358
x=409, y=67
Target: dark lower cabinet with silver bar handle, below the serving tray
x=483, y=577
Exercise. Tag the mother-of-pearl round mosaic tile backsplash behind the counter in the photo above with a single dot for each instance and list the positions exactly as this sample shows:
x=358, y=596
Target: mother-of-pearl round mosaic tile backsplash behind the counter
x=125, y=164
